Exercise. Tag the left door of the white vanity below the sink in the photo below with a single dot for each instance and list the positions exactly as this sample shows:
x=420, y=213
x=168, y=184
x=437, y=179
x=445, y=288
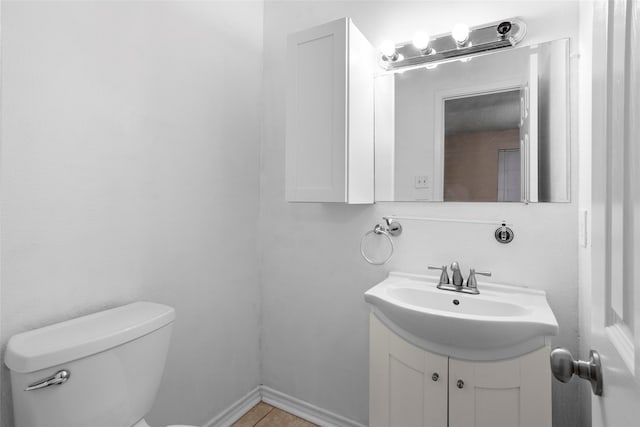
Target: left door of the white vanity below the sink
x=408, y=386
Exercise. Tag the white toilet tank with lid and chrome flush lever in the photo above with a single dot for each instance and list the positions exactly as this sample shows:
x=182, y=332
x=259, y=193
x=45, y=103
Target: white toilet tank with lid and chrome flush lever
x=100, y=370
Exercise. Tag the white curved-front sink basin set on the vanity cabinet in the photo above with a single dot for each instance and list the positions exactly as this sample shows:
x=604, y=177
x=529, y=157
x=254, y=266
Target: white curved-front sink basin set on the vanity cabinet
x=501, y=322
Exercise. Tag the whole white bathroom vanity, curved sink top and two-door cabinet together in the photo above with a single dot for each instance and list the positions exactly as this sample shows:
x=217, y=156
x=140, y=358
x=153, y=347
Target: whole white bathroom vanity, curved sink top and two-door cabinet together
x=443, y=358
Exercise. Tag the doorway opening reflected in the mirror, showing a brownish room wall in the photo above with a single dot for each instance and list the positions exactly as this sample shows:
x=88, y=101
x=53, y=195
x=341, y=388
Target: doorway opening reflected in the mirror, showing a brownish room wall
x=482, y=147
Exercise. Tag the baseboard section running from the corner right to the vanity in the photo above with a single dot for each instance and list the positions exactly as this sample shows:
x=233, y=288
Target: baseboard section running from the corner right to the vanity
x=305, y=410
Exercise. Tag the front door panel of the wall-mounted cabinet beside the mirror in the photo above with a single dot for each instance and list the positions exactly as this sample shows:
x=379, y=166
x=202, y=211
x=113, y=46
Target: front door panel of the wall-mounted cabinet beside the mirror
x=316, y=114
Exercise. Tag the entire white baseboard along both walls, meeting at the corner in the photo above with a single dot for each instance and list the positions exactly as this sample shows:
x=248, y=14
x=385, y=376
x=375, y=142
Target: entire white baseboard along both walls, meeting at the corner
x=293, y=405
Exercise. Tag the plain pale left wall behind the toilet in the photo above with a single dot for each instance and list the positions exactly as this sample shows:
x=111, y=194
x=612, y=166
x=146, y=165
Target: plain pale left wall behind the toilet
x=130, y=158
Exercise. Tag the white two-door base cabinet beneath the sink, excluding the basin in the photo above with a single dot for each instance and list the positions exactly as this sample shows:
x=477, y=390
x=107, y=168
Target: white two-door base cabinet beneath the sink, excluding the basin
x=411, y=387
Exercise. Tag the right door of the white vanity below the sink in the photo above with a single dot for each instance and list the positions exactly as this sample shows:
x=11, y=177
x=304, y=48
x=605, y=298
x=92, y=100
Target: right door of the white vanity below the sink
x=508, y=393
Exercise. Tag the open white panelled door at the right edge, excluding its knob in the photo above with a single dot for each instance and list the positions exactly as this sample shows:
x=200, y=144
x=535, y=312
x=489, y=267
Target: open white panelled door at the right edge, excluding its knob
x=615, y=173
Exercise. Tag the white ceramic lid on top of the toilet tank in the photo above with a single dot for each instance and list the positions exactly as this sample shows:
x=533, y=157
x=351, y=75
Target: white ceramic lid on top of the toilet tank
x=83, y=336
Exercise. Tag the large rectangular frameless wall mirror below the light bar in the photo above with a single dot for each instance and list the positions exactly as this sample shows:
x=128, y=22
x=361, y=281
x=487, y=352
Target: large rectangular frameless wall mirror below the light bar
x=486, y=128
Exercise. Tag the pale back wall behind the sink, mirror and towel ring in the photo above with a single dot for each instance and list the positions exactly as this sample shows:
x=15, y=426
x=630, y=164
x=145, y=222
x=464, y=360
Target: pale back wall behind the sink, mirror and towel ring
x=315, y=331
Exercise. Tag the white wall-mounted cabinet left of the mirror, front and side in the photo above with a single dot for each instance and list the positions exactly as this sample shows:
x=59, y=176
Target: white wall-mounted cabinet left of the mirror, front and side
x=329, y=128
